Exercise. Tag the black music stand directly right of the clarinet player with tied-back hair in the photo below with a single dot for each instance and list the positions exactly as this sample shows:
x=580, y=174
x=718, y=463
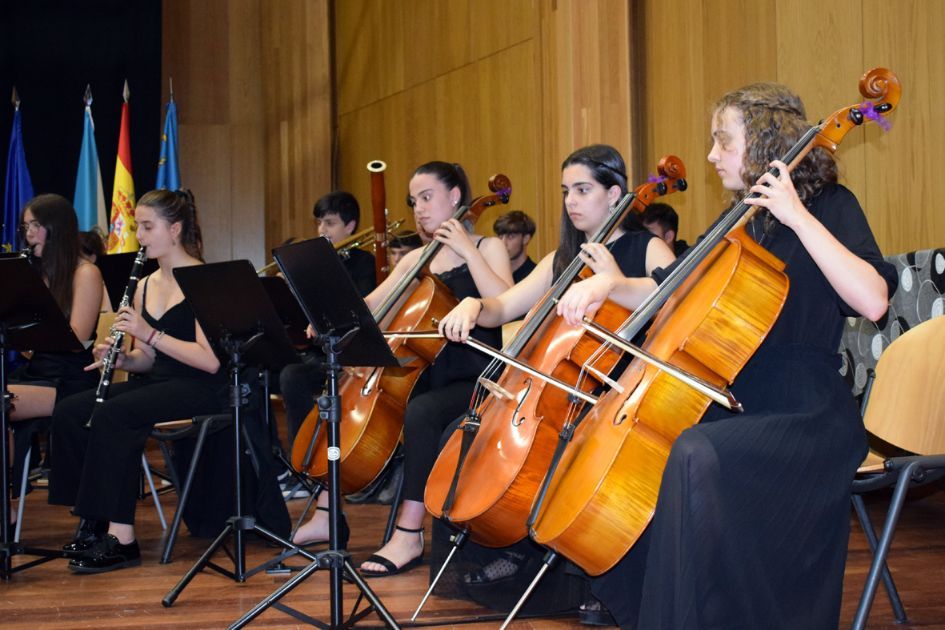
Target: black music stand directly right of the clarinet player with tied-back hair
x=243, y=331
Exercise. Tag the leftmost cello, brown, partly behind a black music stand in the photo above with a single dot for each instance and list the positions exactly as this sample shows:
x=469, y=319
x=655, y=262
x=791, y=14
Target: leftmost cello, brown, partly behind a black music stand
x=374, y=399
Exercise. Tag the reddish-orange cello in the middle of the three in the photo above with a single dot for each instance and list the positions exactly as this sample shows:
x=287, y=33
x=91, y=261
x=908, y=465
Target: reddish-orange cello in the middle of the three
x=486, y=486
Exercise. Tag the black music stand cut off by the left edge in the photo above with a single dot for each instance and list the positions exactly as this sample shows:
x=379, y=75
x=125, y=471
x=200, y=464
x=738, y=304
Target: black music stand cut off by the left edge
x=30, y=319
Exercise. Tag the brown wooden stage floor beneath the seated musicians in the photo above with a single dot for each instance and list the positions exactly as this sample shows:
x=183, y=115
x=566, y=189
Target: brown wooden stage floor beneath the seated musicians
x=50, y=596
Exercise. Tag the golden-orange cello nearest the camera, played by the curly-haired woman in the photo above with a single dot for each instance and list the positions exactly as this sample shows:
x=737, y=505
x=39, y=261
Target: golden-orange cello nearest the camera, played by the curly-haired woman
x=711, y=314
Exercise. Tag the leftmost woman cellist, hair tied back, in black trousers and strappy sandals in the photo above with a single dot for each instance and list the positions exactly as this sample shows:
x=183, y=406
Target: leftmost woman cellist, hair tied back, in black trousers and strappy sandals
x=470, y=265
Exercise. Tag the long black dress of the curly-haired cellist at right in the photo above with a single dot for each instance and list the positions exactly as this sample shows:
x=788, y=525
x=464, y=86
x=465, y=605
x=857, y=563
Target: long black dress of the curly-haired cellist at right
x=752, y=521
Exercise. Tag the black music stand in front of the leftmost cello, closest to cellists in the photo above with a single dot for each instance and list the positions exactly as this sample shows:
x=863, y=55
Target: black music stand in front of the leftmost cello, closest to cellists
x=349, y=336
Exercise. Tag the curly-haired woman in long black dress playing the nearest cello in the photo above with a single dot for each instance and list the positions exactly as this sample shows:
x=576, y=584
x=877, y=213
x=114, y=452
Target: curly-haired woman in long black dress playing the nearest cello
x=752, y=519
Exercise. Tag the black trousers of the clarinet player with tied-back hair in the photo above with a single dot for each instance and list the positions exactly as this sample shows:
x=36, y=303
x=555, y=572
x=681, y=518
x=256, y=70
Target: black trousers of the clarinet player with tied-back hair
x=97, y=469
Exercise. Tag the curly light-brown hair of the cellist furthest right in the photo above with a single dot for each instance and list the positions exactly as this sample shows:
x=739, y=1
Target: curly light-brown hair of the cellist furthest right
x=775, y=119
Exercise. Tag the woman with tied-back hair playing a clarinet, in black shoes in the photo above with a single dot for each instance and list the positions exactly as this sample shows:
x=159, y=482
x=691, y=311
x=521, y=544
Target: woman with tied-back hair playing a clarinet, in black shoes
x=97, y=469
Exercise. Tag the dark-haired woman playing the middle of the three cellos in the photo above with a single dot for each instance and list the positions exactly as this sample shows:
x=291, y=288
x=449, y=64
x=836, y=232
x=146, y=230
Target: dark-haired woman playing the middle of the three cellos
x=593, y=180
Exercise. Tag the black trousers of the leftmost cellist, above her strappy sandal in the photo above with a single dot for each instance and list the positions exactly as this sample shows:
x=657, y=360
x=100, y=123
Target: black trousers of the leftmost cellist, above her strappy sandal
x=427, y=416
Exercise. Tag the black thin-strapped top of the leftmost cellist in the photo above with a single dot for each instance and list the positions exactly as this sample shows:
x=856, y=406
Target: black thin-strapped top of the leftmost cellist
x=459, y=362
